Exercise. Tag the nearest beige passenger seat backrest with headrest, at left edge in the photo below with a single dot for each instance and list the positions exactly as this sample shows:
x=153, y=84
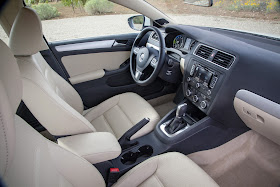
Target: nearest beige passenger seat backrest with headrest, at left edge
x=27, y=158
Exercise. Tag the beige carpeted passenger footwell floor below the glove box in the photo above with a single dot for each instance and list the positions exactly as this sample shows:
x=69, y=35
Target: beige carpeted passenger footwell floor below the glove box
x=248, y=160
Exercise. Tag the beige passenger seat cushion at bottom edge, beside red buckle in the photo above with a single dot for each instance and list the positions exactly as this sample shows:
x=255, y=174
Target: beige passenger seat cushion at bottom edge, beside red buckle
x=168, y=170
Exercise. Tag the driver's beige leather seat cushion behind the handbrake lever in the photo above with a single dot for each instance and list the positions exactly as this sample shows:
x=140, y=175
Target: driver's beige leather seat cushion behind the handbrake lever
x=119, y=113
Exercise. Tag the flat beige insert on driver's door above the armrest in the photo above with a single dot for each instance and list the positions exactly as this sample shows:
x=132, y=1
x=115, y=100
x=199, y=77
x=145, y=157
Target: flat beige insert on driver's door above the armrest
x=90, y=63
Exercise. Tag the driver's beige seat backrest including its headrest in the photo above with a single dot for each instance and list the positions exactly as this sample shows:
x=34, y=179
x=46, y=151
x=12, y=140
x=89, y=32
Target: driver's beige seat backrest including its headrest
x=50, y=98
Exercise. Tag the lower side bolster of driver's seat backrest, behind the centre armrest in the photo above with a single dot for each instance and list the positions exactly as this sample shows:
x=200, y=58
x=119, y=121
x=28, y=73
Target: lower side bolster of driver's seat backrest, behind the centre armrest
x=64, y=121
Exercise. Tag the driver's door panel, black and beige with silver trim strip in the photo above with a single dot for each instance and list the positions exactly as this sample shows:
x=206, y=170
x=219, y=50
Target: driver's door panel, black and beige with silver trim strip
x=98, y=68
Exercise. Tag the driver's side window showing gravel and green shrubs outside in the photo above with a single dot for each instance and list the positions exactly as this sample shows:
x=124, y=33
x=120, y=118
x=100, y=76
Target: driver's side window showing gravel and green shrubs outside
x=73, y=19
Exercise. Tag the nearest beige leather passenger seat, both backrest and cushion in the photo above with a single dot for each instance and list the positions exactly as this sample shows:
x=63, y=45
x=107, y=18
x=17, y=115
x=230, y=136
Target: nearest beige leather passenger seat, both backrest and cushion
x=28, y=159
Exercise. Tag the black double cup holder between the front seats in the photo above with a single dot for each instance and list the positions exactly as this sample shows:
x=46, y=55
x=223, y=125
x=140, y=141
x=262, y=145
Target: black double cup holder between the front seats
x=131, y=157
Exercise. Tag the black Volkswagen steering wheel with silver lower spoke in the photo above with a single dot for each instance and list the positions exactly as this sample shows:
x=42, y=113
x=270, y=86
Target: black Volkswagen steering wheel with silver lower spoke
x=146, y=61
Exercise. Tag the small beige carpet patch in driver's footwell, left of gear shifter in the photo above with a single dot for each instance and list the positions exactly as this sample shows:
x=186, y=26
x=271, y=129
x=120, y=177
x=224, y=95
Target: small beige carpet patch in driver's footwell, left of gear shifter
x=163, y=104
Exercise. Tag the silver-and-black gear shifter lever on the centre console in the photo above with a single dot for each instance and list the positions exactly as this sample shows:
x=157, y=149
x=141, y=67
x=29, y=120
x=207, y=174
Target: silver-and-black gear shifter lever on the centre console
x=178, y=123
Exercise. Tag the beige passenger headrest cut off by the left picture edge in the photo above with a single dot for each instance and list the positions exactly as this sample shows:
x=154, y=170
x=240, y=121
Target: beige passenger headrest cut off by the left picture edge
x=10, y=76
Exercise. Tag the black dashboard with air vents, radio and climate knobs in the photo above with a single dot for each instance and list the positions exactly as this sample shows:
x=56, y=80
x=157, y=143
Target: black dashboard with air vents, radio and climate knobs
x=218, y=63
